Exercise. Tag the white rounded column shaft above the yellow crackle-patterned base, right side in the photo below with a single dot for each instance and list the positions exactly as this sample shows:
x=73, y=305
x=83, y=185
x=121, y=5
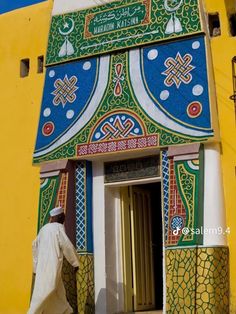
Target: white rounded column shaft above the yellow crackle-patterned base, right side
x=214, y=209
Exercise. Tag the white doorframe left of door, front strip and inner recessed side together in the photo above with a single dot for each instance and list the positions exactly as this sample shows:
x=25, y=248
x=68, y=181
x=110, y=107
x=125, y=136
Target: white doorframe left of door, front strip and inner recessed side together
x=108, y=273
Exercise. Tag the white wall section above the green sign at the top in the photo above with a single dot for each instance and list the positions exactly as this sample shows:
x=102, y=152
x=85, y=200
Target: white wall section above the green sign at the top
x=65, y=6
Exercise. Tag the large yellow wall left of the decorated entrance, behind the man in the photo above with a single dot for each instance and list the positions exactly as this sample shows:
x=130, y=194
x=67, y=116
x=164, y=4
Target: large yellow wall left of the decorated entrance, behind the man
x=24, y=34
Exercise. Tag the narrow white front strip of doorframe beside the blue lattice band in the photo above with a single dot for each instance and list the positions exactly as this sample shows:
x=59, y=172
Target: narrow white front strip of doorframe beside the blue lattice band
x=99, y=238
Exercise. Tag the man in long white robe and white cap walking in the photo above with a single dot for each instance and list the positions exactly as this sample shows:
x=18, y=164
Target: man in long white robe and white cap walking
x=51, y=244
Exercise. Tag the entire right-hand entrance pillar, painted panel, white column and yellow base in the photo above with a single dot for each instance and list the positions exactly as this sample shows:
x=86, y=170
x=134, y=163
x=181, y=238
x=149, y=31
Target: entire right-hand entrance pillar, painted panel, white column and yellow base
x=196, y=258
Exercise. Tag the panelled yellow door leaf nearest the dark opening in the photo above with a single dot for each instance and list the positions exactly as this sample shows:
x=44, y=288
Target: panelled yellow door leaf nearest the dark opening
x=144, y=297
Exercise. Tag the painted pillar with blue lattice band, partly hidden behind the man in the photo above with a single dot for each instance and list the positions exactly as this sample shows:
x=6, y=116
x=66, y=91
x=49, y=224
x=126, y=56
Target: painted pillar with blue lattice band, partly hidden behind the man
x=69, y=185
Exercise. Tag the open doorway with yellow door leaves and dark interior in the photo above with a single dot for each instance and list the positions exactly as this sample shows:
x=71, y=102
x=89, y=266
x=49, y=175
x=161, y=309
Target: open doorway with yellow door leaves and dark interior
x=142, y=247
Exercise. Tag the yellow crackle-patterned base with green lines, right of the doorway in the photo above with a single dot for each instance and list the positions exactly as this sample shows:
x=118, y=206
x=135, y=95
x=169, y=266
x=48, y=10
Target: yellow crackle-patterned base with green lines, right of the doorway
x=197, y=280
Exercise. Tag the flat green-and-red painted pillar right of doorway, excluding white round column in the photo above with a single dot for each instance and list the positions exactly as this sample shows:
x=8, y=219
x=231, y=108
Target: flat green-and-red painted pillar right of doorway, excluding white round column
x=182, y=214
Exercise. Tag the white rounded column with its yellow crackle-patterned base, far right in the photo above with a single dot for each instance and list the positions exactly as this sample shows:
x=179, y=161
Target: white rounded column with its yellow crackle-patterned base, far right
x=213, y=257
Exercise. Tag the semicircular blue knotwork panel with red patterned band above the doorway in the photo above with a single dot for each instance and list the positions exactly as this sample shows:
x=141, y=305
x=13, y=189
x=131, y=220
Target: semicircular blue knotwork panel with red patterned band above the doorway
x=116, y=132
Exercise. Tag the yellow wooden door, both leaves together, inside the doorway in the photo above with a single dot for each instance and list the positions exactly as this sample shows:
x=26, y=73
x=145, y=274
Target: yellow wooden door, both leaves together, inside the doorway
x=137, y=246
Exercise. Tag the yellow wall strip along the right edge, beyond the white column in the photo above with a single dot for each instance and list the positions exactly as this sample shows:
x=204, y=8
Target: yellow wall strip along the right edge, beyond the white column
x=223, y=50
